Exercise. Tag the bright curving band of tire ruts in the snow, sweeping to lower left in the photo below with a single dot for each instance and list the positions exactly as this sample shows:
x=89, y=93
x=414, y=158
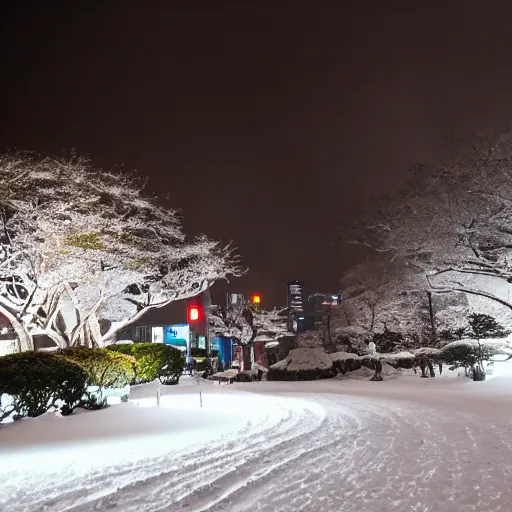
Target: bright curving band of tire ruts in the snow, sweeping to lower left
x=184, y=468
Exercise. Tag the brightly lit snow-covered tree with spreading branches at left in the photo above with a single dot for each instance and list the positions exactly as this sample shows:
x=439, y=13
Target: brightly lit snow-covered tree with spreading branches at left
x=84, y=252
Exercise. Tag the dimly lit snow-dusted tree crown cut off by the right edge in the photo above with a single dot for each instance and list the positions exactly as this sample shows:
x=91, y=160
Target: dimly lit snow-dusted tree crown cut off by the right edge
x=451, y=223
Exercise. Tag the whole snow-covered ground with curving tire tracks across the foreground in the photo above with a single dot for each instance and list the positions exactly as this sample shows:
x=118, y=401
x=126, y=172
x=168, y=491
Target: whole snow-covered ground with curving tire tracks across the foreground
x=405, y=444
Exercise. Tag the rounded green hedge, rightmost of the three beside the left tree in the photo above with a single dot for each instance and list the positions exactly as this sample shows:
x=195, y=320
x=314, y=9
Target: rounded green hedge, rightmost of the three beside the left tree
x=153, y=361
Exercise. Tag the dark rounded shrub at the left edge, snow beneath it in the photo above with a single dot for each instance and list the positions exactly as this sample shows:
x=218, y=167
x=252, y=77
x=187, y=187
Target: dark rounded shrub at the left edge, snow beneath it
x=38, y=382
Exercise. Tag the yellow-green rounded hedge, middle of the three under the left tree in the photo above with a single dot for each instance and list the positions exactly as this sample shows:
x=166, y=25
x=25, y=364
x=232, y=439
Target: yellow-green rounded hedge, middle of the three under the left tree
x=104, y=368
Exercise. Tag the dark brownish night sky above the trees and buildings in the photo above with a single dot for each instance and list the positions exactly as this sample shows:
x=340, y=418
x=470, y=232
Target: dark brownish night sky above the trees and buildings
x=264, y=124
